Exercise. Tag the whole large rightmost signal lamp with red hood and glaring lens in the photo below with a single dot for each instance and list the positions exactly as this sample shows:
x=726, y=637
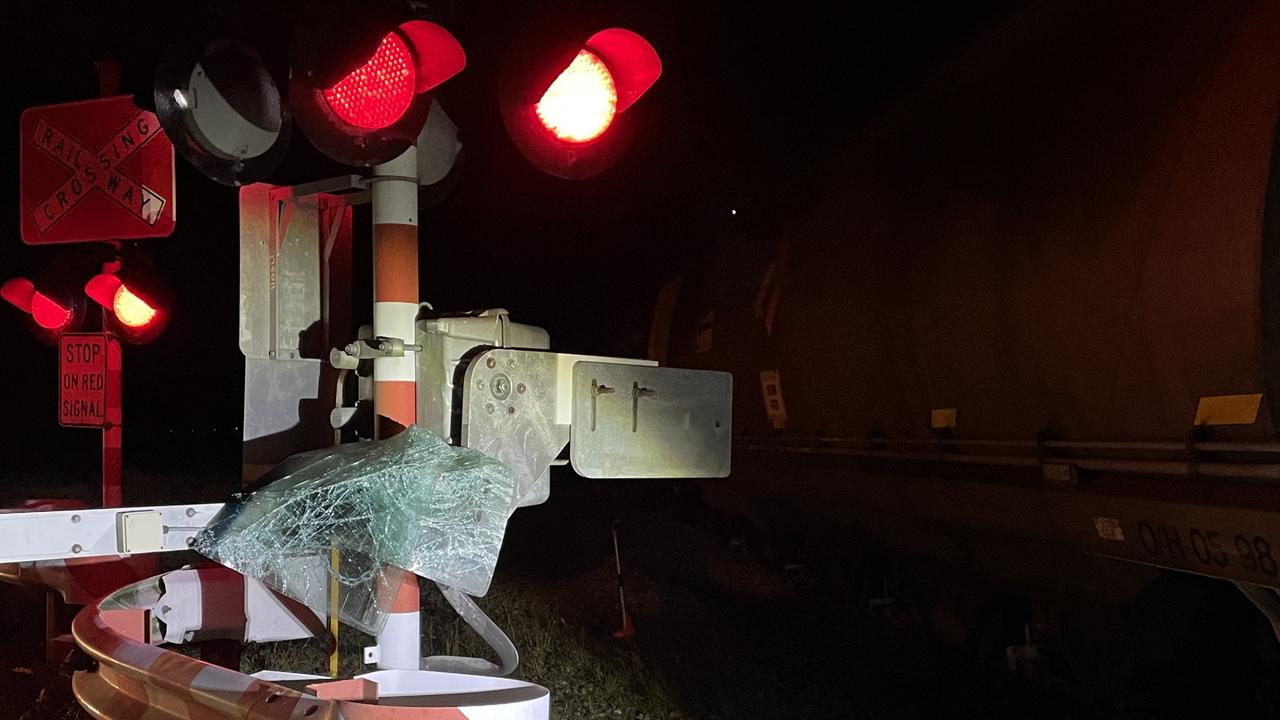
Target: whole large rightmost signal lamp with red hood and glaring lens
x=566, y=116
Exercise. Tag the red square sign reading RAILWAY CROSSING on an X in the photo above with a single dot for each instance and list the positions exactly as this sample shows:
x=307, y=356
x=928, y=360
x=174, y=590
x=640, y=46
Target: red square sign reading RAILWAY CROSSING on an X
x=95, y=170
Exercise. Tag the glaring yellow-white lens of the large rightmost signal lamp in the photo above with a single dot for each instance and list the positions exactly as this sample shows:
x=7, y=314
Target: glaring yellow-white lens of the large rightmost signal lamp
x=582, y=103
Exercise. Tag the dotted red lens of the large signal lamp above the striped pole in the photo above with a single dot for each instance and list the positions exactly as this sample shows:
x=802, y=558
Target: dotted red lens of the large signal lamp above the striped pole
x=378, y=93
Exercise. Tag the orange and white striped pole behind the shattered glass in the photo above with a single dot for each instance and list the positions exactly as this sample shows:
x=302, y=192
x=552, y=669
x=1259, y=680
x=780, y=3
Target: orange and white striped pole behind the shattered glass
x=395, y=207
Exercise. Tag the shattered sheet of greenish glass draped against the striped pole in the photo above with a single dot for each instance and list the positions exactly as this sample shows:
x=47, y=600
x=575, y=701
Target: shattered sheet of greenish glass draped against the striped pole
x=408, y=503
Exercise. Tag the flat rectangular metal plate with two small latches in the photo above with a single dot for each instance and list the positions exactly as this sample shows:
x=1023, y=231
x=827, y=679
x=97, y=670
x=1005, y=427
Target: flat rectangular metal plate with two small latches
x=644, y=422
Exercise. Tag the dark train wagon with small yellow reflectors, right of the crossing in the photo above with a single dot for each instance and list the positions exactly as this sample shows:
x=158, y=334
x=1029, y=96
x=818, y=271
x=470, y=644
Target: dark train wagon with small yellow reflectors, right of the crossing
x=1028, y=321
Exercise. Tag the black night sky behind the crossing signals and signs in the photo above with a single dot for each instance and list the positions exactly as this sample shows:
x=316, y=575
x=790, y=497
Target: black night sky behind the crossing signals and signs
x=749, y=99
